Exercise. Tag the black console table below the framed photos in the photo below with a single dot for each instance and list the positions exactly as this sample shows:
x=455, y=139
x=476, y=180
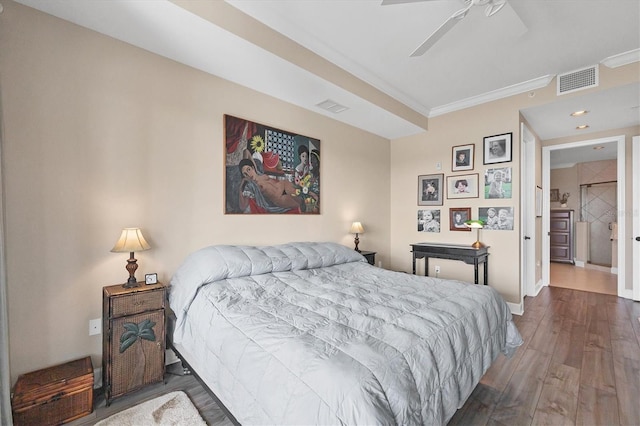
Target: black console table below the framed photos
x=467, y=254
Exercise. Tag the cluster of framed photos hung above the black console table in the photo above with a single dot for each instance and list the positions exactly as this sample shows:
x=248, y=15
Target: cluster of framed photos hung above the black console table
x=492, y=182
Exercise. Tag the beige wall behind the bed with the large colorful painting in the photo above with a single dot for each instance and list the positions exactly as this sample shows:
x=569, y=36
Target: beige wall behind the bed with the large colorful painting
x=99, y=135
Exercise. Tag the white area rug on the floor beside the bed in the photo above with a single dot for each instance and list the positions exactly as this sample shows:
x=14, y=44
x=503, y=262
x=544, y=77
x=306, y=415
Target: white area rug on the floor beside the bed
x=174, y=408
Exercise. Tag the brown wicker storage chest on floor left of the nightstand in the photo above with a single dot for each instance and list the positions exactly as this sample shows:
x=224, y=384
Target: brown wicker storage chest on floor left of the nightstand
x=54, y=395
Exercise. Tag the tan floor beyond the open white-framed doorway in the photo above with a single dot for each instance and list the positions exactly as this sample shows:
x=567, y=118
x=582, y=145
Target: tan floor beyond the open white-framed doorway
x=586, y=279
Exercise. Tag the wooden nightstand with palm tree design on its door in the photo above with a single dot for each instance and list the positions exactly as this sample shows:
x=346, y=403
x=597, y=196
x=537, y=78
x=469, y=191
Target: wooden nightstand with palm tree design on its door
x=133, y=345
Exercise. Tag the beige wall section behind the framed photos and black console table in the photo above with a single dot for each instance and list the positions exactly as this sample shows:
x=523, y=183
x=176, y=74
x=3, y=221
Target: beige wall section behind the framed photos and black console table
x=419, y=155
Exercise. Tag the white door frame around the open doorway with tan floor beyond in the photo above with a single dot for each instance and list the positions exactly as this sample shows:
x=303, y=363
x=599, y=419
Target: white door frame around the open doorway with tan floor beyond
x=546, y=155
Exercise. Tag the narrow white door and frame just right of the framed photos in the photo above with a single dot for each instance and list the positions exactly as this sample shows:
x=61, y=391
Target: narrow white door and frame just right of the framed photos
x=528, y=216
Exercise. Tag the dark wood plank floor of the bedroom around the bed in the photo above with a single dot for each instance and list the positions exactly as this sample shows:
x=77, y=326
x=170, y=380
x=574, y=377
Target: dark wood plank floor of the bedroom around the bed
x=580, y=364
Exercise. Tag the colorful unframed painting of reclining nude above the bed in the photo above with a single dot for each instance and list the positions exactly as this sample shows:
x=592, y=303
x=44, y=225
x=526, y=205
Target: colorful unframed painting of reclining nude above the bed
x=270, y=171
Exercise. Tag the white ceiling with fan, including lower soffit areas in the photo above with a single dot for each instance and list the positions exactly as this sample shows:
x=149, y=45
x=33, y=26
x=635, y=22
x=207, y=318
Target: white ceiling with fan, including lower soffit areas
x=519, y=49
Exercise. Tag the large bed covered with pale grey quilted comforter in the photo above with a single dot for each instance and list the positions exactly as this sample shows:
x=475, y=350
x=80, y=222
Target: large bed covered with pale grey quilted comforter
x=310, y=333
